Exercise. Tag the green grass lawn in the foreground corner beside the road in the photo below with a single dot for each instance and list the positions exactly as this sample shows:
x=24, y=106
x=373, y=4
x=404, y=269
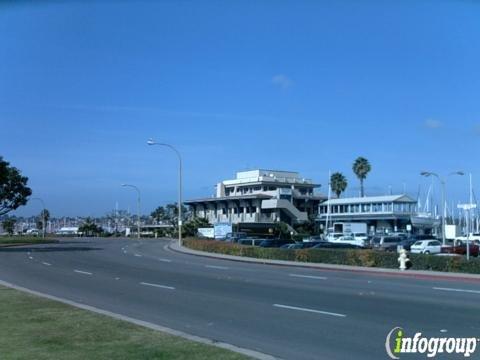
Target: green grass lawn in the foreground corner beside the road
x=36, y=328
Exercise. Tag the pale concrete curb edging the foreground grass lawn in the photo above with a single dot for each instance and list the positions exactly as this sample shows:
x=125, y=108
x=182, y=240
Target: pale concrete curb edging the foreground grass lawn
x=247, y=352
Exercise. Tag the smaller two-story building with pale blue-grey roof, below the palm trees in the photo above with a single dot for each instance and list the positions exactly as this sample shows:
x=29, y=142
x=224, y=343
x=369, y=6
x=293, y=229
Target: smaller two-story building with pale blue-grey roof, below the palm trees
x=381, y=213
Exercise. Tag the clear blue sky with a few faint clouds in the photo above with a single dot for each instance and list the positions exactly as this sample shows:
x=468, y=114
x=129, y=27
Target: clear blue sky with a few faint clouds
x=294, y=85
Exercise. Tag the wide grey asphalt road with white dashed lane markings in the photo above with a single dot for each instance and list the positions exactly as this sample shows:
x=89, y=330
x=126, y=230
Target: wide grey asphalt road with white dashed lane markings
x=287, y=312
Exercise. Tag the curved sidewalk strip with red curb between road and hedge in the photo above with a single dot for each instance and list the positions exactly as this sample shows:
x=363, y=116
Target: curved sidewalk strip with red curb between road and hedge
x=425, y=274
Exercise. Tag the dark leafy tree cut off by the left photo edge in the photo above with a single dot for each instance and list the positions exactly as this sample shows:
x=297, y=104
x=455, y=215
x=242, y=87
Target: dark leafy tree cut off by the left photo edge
x=14, y=191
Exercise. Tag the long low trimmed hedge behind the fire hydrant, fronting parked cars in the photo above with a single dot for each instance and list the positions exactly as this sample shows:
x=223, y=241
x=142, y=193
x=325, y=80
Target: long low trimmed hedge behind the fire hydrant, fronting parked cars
x=356, y=257
